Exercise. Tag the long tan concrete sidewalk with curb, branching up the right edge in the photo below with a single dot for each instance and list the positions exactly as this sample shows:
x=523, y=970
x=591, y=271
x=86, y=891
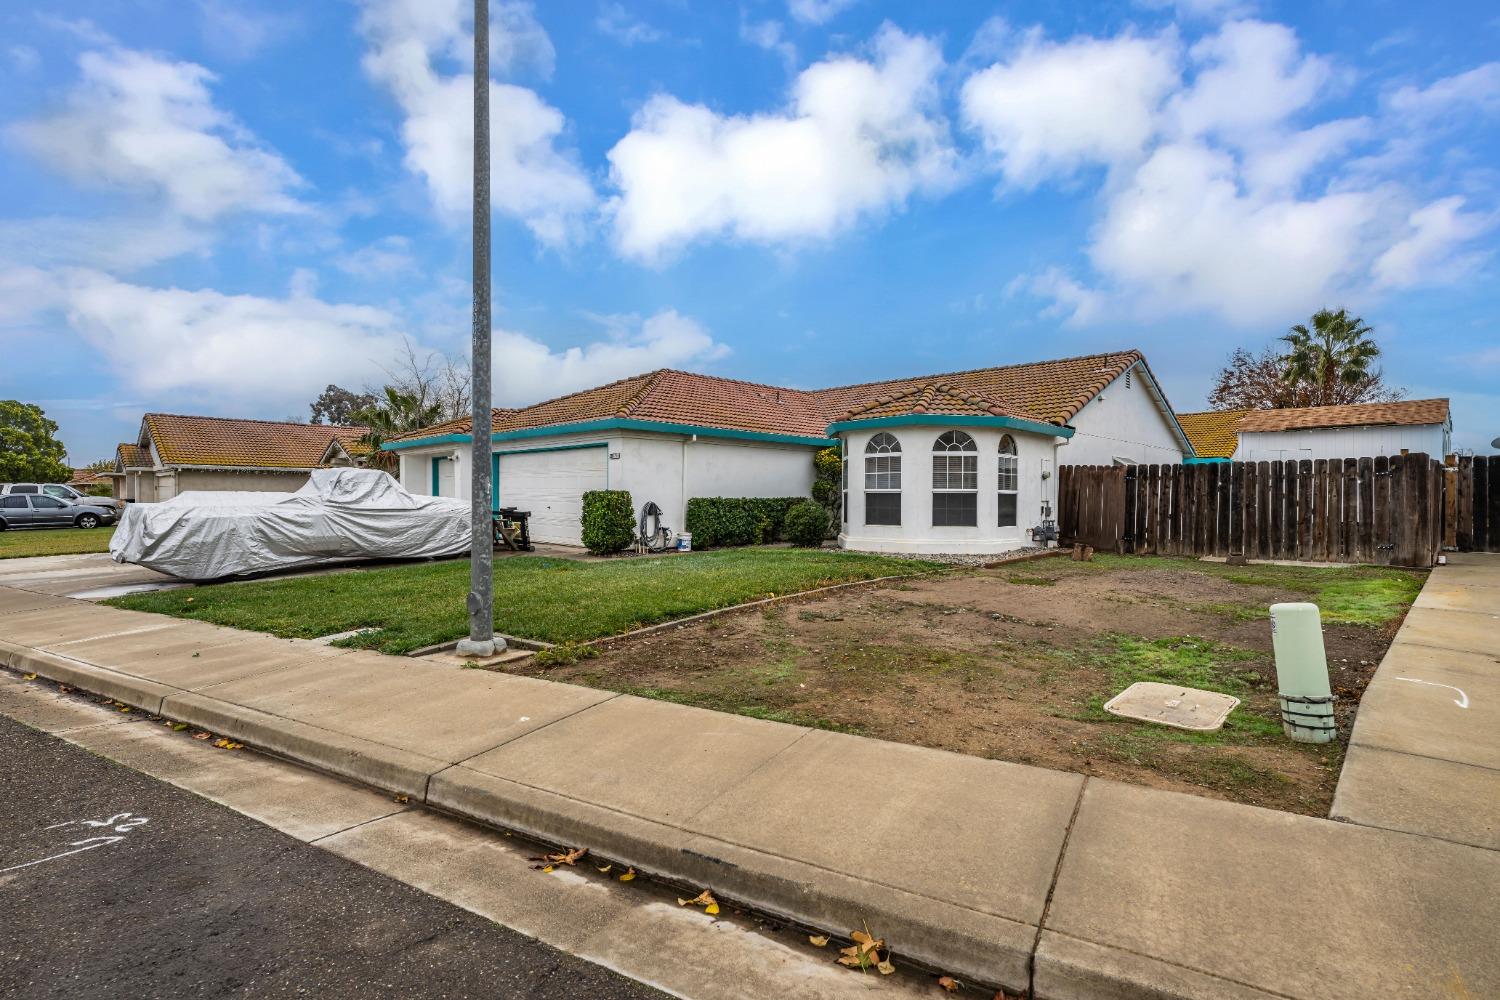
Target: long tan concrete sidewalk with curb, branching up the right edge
x=998, y=873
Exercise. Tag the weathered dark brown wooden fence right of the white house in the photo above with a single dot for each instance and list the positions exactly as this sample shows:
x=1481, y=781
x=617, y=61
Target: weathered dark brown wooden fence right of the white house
x=1387, y=510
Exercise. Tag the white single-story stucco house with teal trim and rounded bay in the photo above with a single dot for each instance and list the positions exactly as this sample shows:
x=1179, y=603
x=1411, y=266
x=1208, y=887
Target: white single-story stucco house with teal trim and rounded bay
x=958, y=463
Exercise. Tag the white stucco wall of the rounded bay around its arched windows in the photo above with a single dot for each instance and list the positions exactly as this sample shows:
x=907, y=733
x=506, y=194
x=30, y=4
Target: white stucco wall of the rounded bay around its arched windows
x=917, y=533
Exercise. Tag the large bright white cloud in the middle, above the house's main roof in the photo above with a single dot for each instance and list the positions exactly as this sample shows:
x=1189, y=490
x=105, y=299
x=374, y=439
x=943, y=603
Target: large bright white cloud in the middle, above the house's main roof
x=860, y=137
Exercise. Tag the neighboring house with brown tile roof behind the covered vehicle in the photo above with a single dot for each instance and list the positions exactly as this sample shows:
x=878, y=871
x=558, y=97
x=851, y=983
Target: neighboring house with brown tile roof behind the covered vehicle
x=176, y=454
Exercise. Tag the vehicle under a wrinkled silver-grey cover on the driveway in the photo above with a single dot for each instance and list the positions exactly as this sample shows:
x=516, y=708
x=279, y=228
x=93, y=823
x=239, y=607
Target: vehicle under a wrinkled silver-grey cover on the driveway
x=338, y=515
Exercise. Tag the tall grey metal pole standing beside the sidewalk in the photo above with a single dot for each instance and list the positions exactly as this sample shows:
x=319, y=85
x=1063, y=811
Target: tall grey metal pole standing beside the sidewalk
x=482, y=542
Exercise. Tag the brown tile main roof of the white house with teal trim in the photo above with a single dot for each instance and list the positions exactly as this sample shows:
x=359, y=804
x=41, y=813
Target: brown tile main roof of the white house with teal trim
x=1046, y=392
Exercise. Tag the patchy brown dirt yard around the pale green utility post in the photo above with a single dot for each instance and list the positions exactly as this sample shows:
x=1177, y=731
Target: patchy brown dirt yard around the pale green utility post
x=1016, y=665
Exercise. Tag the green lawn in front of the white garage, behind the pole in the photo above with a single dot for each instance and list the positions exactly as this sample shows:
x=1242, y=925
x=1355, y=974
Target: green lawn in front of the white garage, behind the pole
x=553, y=600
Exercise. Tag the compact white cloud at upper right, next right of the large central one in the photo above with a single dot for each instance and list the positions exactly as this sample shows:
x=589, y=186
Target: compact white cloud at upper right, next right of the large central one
x=1055, y=107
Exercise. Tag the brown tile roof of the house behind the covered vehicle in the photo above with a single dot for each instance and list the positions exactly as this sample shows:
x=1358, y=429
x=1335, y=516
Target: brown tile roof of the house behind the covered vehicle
x=224, y=442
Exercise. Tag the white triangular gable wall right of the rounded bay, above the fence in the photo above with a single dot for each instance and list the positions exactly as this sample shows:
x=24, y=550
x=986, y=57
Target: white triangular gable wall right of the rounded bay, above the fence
x=1124, y=422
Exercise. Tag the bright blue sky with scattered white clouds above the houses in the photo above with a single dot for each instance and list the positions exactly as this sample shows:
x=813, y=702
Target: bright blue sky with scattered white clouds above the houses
x=224, y=206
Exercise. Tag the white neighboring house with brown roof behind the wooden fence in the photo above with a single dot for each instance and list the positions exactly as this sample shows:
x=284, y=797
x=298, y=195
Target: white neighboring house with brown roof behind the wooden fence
x=1346, y=433
